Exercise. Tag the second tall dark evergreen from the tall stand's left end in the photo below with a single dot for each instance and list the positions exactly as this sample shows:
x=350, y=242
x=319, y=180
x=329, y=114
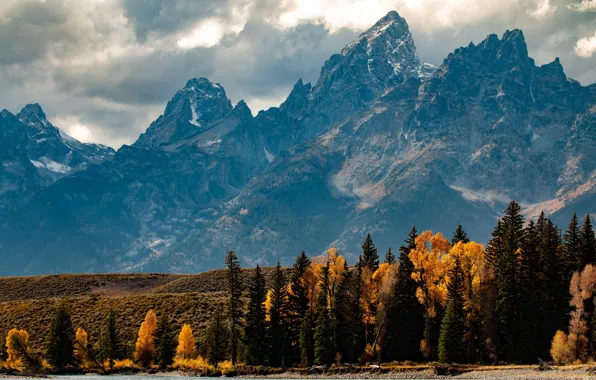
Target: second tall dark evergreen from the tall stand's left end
x=256, y=325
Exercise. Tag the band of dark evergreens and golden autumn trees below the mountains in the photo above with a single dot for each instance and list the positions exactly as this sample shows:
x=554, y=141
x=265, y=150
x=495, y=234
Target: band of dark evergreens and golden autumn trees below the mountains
x=528, y=295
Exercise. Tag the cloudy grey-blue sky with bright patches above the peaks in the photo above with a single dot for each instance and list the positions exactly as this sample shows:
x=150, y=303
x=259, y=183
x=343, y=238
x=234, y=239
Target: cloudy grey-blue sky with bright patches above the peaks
x=103, y=70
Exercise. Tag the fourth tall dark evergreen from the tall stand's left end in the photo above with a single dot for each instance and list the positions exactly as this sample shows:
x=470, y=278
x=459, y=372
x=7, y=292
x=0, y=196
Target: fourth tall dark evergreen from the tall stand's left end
x=298, y=307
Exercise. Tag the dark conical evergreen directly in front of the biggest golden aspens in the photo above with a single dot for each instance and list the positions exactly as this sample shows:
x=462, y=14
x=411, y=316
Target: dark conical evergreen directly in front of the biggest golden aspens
x=451, y=340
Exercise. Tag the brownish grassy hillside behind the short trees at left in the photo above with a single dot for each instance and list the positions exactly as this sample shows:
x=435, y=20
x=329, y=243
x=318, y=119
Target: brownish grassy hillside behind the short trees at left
x=29, y=302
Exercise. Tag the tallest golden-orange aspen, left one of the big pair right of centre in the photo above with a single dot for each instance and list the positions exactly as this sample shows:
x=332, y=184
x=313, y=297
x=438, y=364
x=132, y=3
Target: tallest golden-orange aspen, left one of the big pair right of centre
x=431, y=265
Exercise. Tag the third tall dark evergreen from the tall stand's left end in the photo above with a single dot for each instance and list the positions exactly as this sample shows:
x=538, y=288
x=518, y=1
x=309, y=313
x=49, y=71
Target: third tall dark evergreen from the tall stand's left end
x=277, y=314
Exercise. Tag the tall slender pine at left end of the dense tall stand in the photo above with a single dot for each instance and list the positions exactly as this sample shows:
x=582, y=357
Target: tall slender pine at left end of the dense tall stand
x=234, y=302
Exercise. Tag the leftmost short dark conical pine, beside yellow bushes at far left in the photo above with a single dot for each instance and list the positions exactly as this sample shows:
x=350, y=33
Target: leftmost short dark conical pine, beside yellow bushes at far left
x=60, y=350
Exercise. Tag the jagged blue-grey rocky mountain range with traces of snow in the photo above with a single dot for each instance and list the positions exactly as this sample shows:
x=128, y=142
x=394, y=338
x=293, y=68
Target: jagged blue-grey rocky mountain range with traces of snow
x=379, y=143
